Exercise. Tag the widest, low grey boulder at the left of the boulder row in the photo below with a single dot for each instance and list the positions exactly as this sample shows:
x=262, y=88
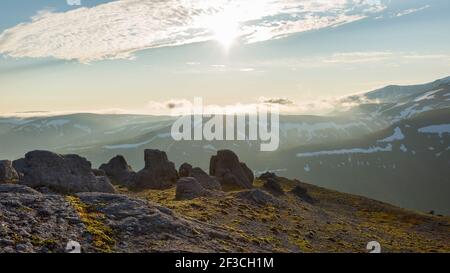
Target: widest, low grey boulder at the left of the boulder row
x=62, y=173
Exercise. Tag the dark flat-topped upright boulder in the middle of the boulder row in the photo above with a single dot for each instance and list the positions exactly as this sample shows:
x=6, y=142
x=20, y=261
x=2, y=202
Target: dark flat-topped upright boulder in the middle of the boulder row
x=158, y=173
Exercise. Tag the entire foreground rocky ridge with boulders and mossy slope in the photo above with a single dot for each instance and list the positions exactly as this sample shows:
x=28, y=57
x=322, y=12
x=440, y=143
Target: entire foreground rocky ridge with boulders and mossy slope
x=47, y=200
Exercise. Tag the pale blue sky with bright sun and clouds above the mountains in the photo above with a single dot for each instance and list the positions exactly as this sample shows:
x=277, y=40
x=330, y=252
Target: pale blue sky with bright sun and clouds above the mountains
x=143, y=56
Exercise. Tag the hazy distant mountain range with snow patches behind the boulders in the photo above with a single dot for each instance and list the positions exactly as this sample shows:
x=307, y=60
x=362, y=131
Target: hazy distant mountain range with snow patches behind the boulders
x=391, y=144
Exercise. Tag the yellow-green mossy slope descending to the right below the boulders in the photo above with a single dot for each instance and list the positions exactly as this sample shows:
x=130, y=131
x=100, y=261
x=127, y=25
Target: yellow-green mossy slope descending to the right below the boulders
x=336, y=223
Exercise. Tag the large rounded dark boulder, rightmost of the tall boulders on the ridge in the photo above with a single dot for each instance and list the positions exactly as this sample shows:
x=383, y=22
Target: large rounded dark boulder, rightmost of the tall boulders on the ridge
x=229, y=171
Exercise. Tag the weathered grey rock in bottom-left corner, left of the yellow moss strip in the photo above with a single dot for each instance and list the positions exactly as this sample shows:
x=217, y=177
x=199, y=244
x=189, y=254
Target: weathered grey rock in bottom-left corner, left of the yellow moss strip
x=38, y=220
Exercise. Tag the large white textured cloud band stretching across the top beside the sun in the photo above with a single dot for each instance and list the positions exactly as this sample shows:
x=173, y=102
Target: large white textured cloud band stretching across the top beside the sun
x=118, y=29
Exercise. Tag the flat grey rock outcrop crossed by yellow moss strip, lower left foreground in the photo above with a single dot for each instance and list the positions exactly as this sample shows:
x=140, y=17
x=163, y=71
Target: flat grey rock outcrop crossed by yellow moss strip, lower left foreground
x=33, y=222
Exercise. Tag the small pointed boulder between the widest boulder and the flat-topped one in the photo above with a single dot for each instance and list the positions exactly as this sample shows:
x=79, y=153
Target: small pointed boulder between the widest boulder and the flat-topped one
x=118, y=170
